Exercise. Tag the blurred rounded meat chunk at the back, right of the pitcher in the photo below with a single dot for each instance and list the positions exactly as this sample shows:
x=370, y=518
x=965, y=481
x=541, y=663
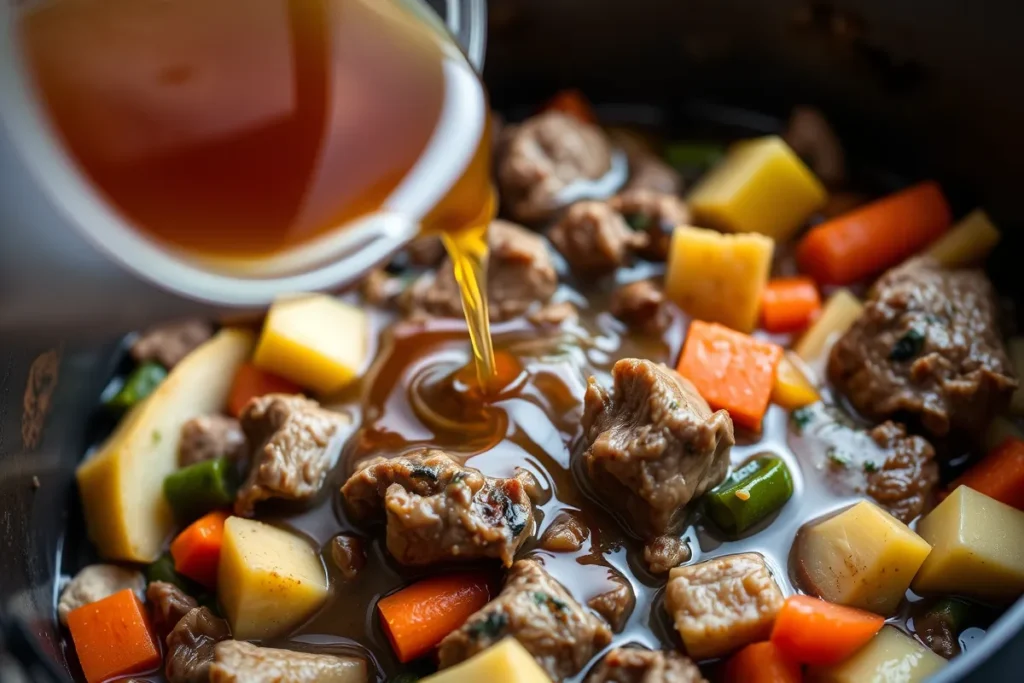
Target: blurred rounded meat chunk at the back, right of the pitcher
x=542, y=157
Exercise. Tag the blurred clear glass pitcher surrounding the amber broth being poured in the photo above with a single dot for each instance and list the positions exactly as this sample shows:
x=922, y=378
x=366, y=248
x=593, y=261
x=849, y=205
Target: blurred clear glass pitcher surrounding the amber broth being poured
x=68, y=257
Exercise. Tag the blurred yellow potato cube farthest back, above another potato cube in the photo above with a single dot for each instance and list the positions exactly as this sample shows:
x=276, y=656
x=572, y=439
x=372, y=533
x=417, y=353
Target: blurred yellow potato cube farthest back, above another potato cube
x=760, y=187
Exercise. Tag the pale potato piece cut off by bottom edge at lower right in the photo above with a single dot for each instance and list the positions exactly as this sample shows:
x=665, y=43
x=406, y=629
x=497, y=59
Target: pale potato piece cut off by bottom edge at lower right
x=891, y=657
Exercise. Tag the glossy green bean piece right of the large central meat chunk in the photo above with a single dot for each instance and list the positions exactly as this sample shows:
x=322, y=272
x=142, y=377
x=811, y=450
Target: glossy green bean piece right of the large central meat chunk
x=751, y=494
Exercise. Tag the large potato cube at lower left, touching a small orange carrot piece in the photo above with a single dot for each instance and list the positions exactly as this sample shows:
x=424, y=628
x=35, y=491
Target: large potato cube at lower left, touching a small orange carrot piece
x=269, y=580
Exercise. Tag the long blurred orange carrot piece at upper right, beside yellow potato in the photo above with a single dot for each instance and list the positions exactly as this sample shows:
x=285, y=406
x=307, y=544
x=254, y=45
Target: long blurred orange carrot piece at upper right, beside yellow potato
x=874, y=238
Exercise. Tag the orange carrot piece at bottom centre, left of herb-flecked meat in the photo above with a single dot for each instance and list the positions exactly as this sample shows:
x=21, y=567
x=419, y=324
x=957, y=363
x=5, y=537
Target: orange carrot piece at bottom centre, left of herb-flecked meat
x=418, y=617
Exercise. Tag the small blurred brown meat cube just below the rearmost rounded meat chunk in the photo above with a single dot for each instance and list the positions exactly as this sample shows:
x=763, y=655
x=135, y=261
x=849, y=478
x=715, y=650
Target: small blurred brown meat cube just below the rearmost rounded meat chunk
x=595, y=240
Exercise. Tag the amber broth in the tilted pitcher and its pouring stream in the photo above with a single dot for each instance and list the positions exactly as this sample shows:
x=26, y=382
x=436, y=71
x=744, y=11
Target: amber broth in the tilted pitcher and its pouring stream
x=247, y=130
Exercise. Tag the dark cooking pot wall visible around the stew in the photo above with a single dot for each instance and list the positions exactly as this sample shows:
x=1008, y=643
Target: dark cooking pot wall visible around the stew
x=915, y=87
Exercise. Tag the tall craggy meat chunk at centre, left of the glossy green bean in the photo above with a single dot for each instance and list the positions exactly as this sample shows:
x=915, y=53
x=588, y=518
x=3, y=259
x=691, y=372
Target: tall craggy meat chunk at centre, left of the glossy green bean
x=653, y=445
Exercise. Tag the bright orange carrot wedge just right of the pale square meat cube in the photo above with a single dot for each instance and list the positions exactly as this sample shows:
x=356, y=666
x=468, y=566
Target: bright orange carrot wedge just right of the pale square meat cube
x=813, y=631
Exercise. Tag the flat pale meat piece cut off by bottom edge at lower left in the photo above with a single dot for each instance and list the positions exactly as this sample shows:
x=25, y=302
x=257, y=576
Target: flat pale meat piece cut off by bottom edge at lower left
x=237, y=662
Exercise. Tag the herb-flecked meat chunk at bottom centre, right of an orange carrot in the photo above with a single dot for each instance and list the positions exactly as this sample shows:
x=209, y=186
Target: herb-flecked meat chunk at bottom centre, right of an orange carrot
x=539, y=613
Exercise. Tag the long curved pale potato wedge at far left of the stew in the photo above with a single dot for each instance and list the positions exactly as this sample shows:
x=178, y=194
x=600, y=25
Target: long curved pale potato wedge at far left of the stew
x=122, y=485
